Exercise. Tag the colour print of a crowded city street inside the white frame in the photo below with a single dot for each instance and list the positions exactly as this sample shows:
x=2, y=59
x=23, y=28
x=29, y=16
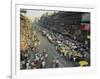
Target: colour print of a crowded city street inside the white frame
x=49, y=41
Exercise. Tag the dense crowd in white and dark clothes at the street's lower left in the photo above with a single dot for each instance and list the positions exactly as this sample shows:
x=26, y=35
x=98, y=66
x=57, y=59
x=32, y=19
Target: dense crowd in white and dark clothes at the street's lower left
x=37, y=60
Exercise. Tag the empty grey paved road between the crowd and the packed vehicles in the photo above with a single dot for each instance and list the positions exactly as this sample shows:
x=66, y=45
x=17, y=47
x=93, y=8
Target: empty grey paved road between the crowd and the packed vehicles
x=52, y=53
